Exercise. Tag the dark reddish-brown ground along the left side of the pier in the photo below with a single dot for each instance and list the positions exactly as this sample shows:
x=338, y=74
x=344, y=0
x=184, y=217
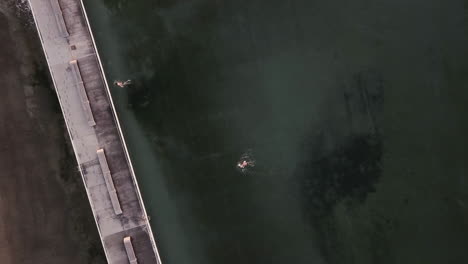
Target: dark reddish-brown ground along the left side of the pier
x=44, y=213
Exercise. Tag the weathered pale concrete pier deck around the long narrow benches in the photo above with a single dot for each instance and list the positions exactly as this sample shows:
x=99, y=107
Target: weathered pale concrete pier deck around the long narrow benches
x=88, y=138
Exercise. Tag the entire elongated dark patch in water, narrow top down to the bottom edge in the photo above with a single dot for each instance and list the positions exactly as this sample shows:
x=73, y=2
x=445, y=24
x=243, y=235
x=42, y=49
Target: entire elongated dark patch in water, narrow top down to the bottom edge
x=347, y=171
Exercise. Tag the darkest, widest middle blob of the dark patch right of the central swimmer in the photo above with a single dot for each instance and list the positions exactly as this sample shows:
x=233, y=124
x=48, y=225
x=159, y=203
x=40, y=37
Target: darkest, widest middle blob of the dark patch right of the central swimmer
x=348, y=173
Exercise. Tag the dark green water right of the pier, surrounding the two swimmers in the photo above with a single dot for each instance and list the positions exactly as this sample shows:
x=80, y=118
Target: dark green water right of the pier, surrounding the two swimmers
x=355, y=112
